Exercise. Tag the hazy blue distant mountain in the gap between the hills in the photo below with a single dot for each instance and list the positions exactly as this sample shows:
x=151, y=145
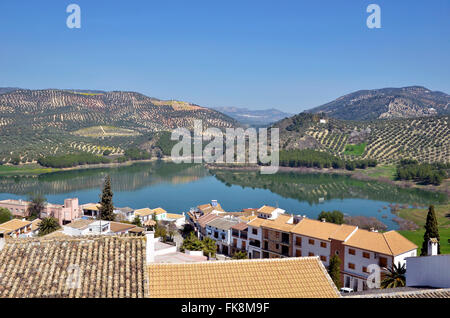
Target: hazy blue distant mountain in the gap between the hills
x=254, y=117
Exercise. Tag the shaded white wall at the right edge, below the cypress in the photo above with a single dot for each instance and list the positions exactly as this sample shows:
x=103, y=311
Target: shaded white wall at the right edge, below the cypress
x=433, y=271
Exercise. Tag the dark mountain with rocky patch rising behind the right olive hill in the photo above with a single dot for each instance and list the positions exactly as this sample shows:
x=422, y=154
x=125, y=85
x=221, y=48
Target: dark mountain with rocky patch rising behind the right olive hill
x=405, y=102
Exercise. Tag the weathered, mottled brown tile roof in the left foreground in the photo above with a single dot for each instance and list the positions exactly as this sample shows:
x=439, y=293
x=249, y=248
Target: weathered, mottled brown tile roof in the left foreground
x=110, y=266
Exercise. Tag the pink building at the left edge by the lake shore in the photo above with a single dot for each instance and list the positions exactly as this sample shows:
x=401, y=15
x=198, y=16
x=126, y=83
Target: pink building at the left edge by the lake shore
x=66, y=213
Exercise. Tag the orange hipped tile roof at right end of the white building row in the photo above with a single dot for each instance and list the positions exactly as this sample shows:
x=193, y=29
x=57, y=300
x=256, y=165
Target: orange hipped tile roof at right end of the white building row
x=389, y=243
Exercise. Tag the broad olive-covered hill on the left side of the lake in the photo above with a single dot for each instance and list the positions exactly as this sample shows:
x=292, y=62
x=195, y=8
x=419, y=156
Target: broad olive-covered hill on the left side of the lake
x=35, y=123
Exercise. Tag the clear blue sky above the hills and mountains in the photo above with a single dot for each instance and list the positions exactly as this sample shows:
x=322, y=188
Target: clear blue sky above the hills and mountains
x=291, y=55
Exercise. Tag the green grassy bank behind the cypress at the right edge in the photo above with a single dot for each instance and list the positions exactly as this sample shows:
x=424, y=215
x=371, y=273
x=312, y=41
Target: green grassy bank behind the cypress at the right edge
x=418, y=216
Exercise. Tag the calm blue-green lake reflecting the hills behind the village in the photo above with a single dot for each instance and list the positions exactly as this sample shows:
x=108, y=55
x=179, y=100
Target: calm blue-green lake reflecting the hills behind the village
x=178, y=187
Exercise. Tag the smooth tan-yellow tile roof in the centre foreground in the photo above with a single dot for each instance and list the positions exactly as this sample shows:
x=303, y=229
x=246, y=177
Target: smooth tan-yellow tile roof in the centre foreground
x=304, y=277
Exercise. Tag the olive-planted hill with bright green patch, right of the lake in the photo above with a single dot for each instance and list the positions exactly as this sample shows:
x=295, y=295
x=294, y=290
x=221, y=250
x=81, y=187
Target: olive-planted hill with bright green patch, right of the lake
x=426, y=139
